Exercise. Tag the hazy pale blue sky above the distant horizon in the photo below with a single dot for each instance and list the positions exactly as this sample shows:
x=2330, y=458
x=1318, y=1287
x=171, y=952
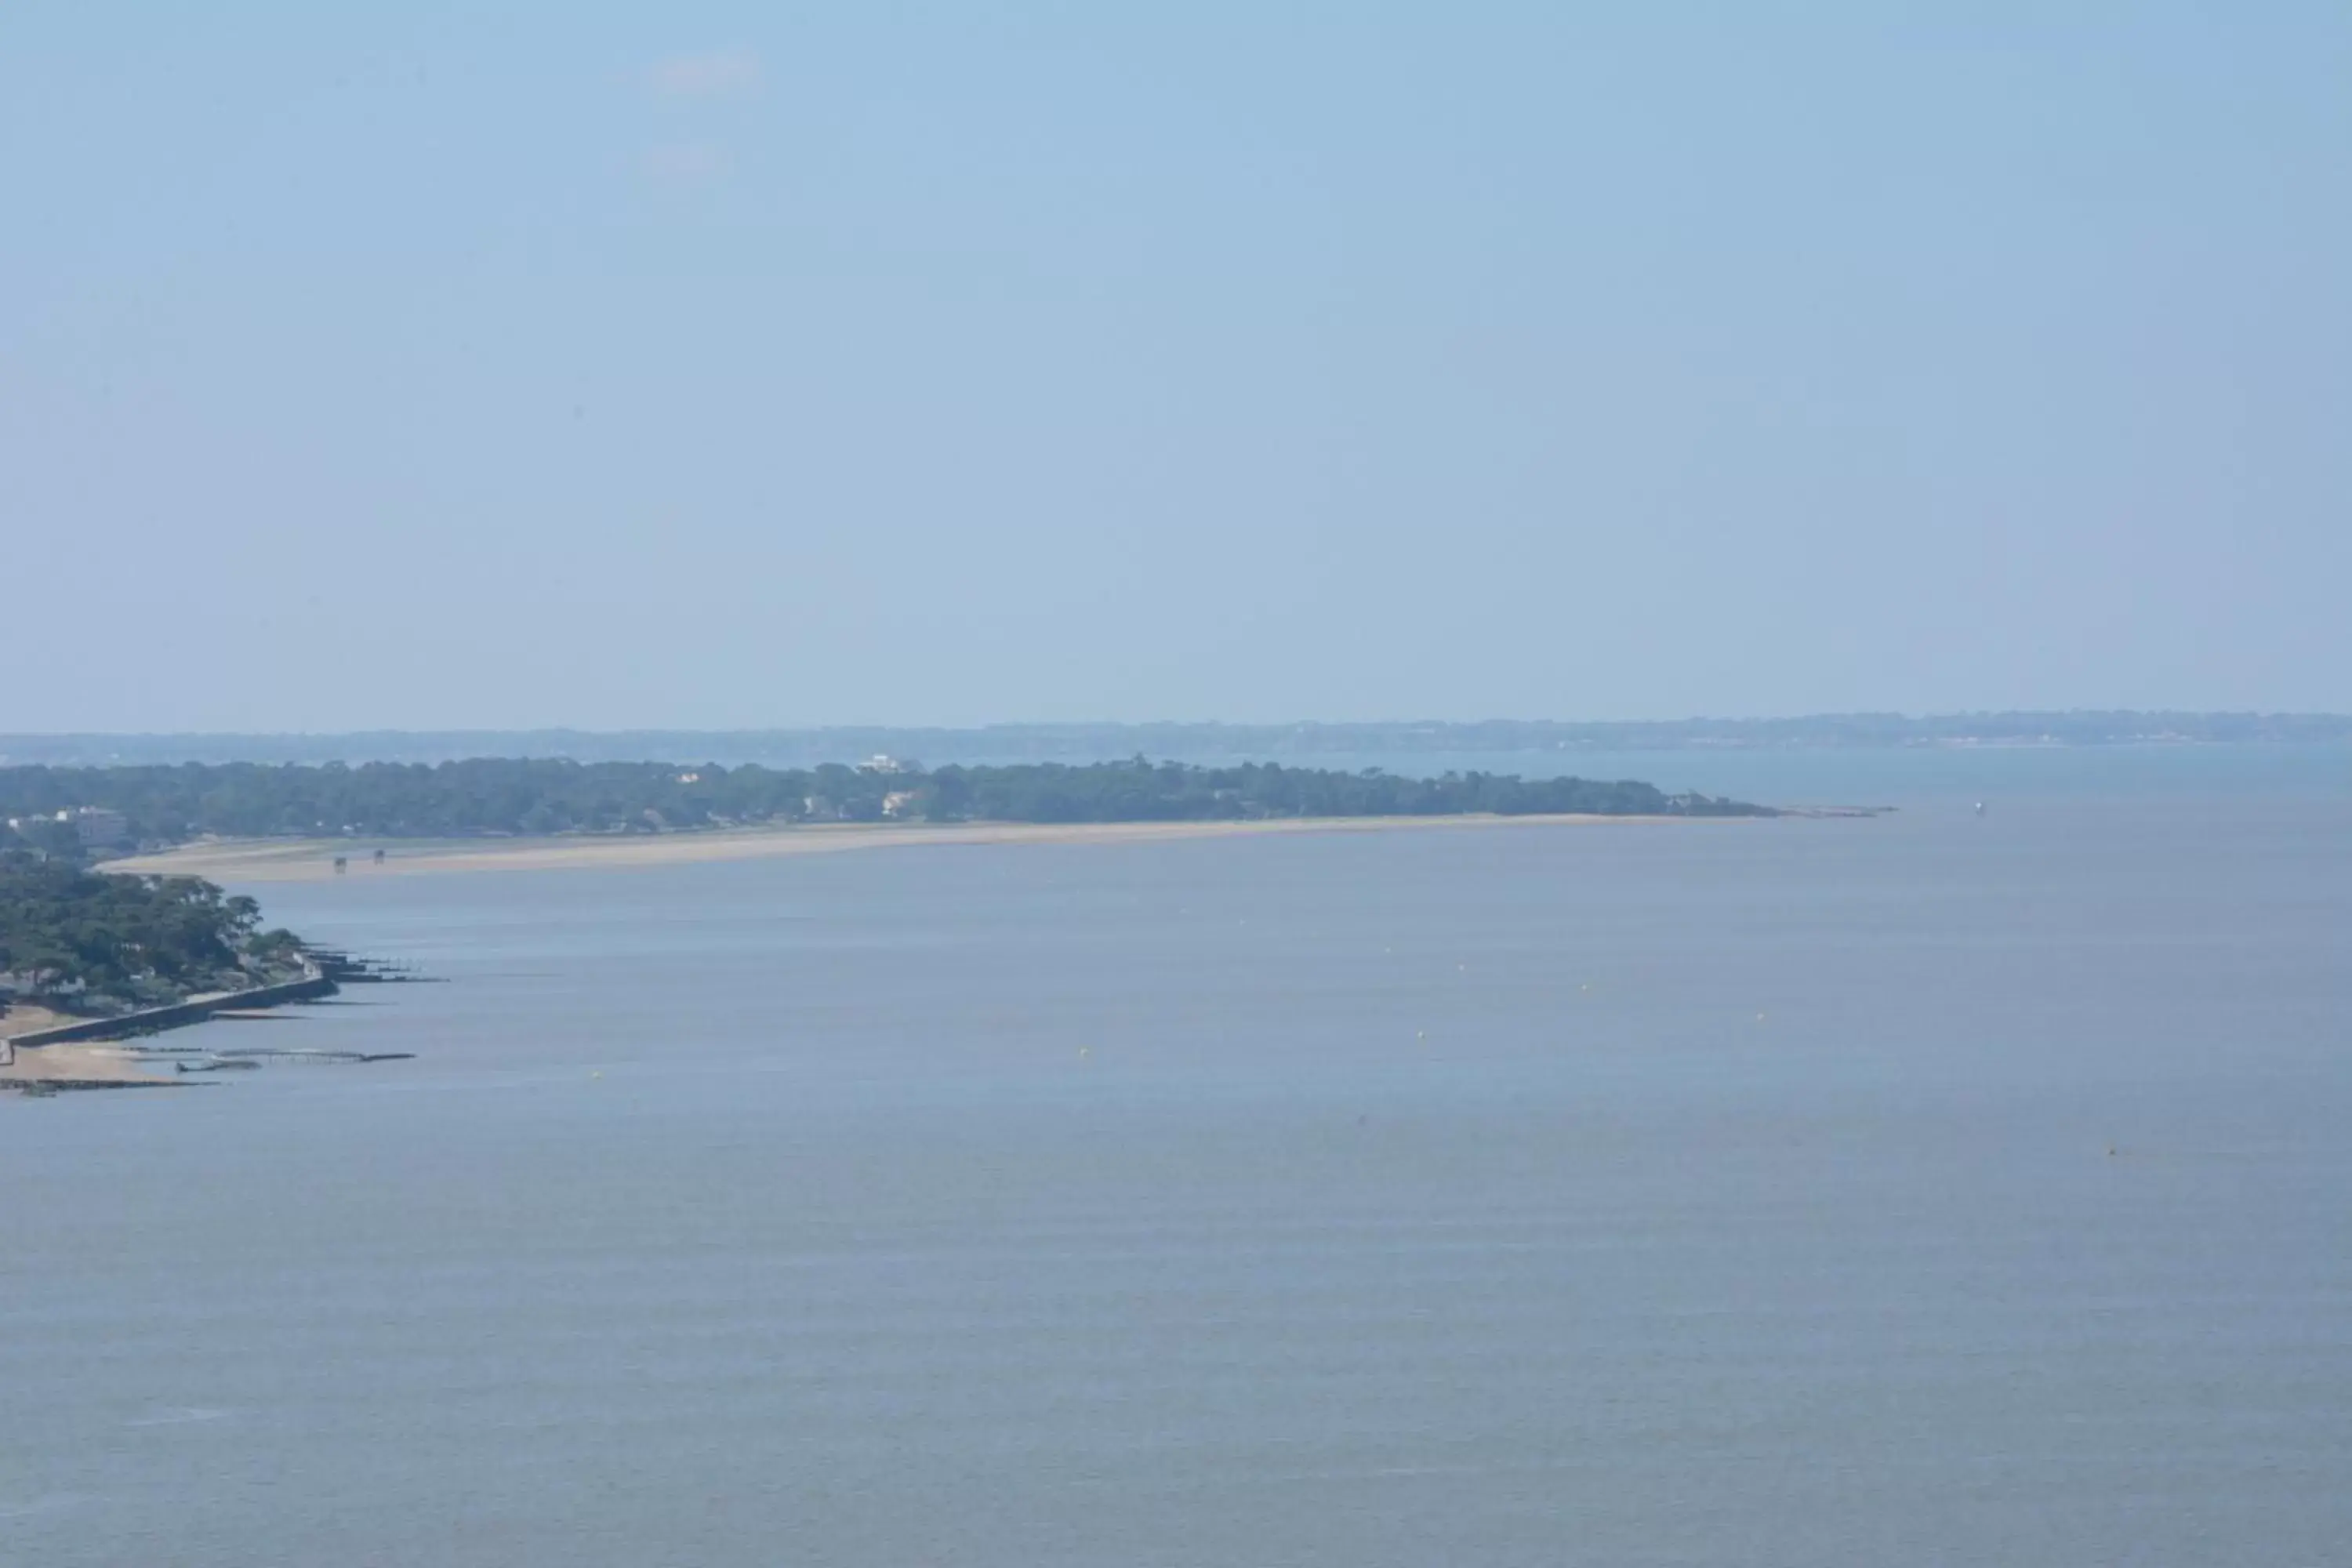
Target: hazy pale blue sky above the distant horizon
x=761, y=366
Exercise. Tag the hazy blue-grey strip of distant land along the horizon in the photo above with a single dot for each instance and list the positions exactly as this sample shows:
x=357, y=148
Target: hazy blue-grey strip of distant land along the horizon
x=1189, y=742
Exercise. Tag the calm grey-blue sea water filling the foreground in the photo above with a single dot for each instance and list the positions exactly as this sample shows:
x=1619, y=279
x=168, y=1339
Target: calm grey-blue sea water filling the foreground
x=1925, y=1191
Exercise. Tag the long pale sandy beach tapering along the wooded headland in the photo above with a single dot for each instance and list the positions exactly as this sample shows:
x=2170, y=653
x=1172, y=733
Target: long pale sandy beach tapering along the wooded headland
x=314, y=859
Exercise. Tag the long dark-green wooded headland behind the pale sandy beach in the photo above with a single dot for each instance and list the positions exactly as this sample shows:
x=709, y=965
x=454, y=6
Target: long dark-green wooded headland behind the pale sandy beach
x=147, y=808
